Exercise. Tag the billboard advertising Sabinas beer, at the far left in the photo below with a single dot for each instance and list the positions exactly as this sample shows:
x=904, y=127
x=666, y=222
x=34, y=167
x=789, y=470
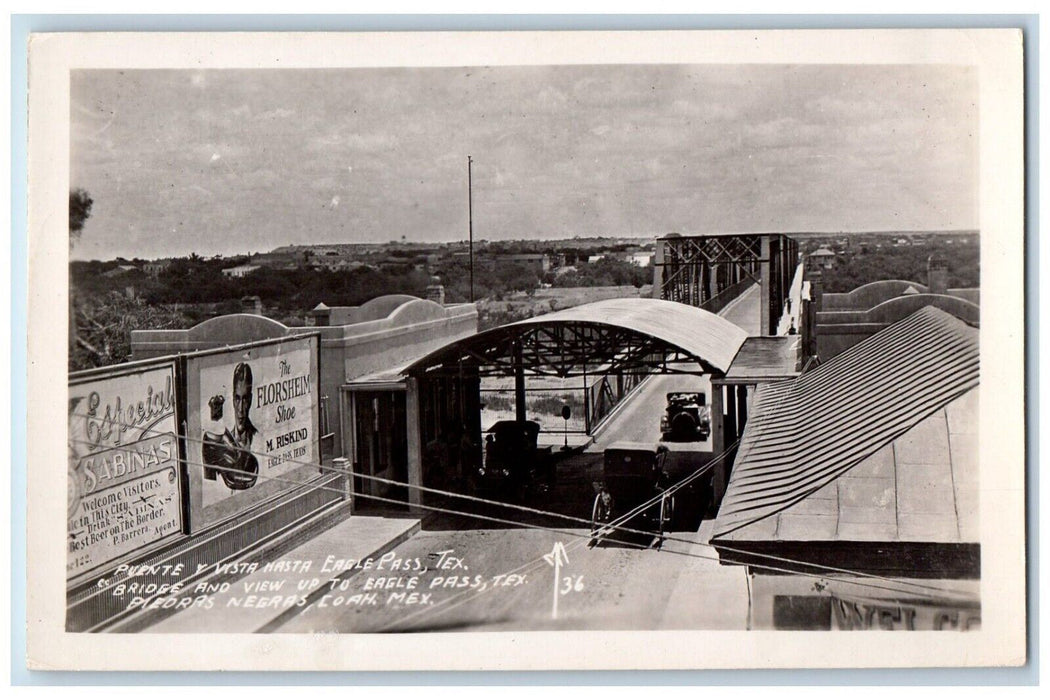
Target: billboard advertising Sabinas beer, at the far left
x=124, y=491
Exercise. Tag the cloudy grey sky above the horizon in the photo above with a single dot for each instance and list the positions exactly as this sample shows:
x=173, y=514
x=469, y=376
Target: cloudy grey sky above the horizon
x=230, y=162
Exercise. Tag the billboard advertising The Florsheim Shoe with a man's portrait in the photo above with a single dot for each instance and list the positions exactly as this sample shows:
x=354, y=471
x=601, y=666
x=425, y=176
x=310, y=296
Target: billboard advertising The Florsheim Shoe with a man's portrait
x=253, y=426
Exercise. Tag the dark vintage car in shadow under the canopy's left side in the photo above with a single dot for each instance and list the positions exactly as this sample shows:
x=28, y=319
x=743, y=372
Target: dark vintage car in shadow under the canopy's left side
x=514, y=466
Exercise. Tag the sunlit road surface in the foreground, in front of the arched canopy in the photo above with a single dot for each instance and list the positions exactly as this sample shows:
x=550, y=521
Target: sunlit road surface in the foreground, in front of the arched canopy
x=498, y=581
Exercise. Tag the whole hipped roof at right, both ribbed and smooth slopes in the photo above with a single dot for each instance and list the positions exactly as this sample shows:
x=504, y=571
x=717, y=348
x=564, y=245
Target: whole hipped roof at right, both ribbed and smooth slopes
x=895, y=415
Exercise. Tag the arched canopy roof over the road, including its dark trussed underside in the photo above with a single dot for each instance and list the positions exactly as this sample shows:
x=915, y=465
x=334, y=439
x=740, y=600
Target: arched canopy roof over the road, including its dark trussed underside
x=623, y=335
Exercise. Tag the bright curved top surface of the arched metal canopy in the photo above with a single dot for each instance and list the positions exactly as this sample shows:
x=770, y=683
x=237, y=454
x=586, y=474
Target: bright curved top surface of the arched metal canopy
x=694, y=330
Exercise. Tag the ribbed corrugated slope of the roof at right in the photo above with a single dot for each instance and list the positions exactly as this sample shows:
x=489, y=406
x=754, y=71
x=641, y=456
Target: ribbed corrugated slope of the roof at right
x=806, y=433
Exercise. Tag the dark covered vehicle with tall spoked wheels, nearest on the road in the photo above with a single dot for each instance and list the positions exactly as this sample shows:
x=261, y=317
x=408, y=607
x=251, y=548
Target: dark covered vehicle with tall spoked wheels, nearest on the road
x=635, y=479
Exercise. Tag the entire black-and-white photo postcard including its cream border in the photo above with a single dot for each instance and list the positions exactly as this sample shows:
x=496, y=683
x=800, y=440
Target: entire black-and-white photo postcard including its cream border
x=527, y=351
